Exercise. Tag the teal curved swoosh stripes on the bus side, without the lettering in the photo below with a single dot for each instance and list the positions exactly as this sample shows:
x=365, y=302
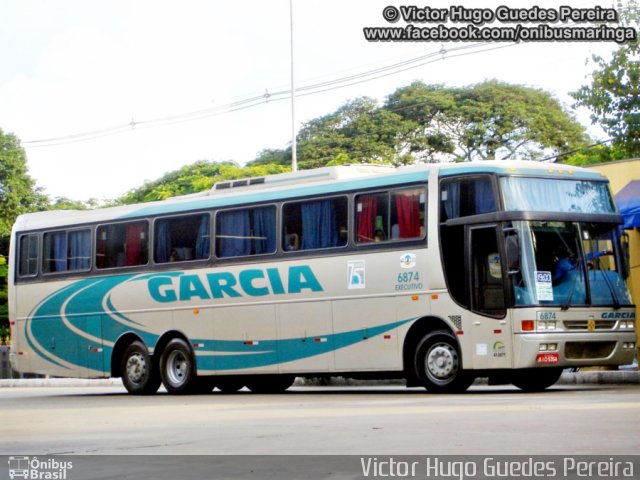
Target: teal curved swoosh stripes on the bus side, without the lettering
x=87, y=307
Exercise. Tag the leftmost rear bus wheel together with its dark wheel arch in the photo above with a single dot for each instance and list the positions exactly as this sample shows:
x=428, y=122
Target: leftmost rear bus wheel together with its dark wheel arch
x=132, y=361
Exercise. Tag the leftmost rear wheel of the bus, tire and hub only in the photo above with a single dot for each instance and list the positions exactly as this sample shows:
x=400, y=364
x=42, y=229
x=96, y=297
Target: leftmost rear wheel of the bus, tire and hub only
x=139, y=373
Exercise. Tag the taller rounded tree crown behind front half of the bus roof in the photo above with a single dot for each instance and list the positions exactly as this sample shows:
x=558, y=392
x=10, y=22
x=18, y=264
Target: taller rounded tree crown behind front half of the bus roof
x=490, y=120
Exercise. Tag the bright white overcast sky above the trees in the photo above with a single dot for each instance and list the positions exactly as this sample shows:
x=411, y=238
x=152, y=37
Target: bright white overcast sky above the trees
x=105, y=94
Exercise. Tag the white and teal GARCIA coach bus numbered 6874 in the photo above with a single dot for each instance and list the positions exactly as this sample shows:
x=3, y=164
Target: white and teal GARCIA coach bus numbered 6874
x=437, y=274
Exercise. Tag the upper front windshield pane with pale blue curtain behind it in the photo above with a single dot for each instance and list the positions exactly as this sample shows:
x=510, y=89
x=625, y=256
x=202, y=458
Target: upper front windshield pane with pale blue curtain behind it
x=556, y=195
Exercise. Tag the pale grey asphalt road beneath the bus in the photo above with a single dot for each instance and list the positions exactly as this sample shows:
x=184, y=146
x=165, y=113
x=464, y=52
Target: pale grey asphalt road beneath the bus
x=389, y=420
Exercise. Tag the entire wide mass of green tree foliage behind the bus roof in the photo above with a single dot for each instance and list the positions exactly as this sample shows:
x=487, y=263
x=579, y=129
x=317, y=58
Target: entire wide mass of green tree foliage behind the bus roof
x=429, y=123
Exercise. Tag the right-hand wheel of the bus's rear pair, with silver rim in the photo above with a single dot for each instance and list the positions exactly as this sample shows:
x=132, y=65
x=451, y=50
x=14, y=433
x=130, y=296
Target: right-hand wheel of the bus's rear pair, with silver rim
x=177, y=368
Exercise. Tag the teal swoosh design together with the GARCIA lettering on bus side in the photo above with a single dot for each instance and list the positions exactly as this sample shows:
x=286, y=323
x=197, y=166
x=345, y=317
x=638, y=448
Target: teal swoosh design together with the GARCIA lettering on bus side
x=83, y=315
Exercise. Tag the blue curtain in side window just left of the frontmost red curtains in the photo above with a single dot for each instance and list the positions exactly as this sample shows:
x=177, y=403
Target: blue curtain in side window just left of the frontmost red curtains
x=319, y=225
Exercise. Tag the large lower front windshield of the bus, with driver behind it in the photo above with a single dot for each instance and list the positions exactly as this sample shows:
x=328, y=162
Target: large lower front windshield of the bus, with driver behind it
x=565, y=264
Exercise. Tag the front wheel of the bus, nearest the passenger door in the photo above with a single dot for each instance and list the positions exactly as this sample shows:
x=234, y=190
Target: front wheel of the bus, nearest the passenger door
x=438, y=364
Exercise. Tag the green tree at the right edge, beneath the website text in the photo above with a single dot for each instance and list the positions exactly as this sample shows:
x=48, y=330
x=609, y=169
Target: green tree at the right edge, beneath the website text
x=613, y=94
